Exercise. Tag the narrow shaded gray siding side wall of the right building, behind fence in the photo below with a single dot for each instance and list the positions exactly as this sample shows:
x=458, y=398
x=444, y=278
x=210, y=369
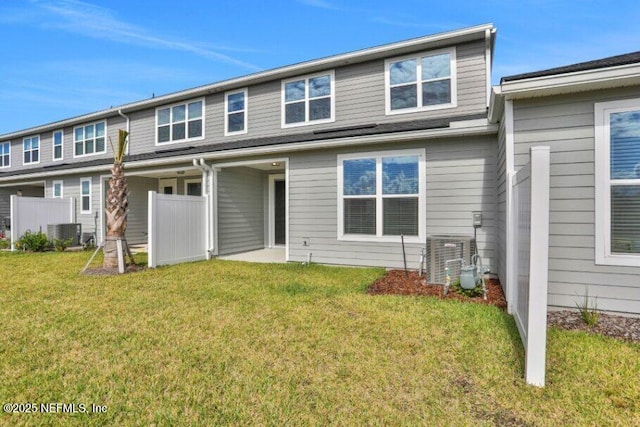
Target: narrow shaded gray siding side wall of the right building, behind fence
x=501, y=206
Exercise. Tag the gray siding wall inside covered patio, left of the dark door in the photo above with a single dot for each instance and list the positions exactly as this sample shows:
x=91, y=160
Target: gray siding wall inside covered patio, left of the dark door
x=241, y=216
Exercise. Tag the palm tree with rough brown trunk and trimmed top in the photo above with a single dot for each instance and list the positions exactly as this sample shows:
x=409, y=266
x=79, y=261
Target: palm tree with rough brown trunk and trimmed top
x=117, y=207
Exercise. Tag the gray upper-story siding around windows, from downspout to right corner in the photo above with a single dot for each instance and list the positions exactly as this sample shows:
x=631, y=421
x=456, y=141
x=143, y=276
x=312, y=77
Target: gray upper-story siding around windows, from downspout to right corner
x=359, y=99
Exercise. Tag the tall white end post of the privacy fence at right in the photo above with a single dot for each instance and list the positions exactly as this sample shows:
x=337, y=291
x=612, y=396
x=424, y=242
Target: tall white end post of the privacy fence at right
x=538, y=267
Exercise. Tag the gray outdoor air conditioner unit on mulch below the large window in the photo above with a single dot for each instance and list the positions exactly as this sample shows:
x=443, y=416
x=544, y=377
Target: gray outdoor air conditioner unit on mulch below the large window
x=441, y=248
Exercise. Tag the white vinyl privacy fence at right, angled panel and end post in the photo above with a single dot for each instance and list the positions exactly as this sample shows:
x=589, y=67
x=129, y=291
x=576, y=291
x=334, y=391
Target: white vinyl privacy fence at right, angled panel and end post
x=530, y=247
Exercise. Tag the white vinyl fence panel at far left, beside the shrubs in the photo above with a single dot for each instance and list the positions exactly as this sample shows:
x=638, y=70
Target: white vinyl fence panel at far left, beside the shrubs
x=35, y=213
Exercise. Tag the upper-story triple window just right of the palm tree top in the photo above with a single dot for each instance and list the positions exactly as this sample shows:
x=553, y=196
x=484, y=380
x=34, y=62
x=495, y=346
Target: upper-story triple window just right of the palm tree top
x=180, y=122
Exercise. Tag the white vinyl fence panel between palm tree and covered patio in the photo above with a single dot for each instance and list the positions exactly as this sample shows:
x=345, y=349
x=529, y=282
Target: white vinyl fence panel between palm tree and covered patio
x=176, y=229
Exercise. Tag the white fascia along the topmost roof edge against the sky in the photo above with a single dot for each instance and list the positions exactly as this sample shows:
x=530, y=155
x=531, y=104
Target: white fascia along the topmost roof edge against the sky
x=393, y=49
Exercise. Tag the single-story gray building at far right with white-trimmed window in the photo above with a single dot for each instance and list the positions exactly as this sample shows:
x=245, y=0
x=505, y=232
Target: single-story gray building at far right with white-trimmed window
x=589, y=115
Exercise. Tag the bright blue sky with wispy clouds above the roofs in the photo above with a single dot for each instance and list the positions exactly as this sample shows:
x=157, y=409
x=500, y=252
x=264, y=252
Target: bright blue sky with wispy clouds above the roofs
x=63, y=58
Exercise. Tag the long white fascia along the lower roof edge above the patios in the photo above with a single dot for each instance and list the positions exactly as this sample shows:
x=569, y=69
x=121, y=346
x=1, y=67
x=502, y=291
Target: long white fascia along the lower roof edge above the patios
x=451, y=132
